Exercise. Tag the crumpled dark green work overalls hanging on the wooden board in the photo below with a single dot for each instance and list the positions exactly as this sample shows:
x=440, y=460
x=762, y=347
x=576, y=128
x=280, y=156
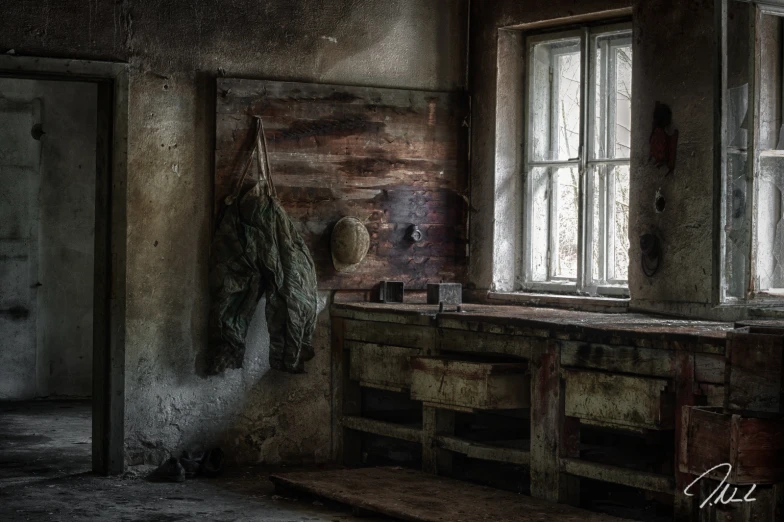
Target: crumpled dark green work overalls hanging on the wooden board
x=256, y=251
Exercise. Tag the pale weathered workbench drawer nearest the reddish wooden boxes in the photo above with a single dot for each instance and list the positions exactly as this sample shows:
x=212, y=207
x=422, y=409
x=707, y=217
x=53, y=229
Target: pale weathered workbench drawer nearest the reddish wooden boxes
x=618, y=400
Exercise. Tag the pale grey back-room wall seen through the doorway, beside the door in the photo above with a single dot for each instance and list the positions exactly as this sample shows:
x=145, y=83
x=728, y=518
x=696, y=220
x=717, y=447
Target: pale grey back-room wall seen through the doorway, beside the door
x=66, y=218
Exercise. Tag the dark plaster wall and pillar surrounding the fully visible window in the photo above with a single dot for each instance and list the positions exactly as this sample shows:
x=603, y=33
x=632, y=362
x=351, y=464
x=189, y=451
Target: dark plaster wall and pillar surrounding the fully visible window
x=683, y=79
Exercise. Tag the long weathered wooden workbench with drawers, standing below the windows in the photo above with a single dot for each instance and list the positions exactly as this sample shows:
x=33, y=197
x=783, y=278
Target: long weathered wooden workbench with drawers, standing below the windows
x=572, y=407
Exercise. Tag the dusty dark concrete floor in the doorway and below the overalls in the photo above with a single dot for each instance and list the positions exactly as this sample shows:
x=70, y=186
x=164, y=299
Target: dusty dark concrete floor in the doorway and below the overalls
x=45, y=475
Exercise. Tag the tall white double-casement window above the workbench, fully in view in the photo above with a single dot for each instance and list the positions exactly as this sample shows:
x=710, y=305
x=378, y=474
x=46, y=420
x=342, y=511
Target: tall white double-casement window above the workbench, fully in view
x=576, y=167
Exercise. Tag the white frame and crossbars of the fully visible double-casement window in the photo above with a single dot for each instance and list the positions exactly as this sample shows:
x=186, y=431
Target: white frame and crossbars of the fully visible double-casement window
x=586, y=163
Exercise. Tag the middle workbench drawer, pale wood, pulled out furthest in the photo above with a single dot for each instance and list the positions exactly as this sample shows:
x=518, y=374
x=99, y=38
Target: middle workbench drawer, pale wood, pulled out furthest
x=464, y=385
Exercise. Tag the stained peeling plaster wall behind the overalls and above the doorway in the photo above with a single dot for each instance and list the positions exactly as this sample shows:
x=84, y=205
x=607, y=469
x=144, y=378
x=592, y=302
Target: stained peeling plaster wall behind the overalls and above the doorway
x=176, y=49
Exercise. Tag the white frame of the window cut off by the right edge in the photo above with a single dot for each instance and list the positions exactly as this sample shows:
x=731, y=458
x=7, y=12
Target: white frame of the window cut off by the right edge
x=753, y=295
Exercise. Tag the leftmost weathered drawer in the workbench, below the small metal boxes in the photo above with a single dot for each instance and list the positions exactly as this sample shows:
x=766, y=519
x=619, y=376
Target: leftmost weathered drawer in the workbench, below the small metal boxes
x=380, y=366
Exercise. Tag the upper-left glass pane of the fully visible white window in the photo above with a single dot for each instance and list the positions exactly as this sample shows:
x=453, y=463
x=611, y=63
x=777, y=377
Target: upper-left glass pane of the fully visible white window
x=554, y=95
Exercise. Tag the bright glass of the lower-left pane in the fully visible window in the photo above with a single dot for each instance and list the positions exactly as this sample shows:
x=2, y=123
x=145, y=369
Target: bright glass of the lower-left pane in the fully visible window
x=565, y=215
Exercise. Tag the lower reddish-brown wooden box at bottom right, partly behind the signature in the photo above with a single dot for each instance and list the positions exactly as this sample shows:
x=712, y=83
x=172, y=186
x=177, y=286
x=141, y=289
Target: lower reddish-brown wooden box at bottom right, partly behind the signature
x=754, y=447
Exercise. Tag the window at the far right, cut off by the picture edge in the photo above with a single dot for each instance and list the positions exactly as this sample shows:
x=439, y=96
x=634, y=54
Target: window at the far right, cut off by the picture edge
x=752, y=235
